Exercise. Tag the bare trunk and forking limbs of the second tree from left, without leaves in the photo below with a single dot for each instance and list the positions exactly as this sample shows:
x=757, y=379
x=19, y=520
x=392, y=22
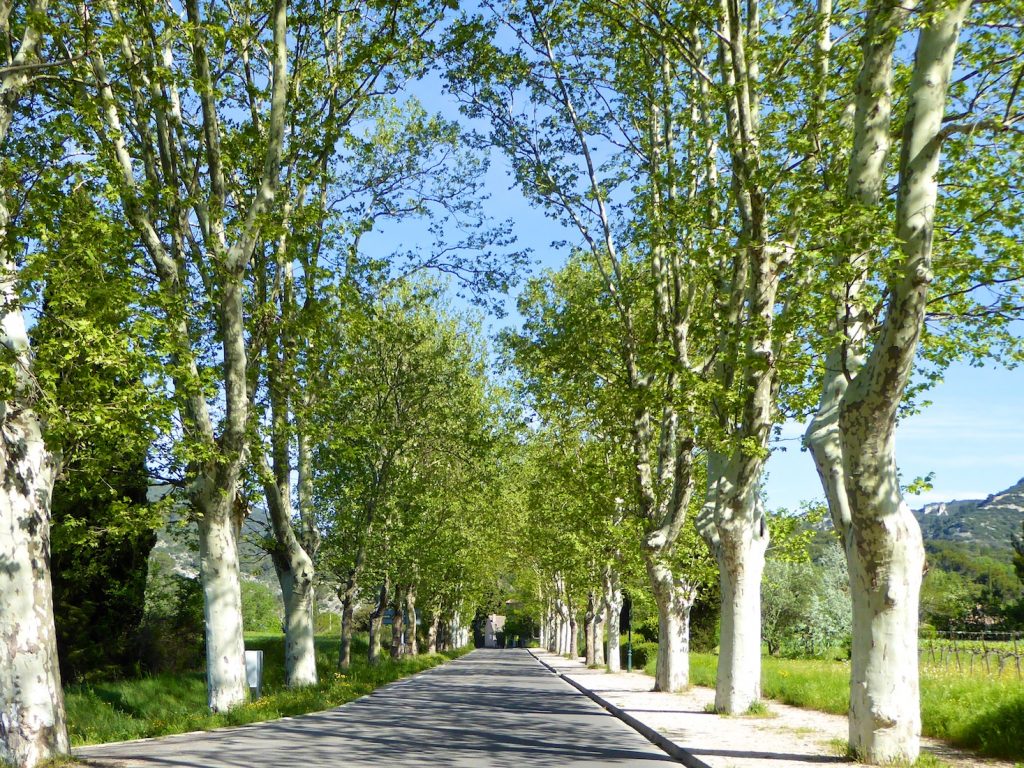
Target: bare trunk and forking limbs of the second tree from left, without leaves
x=215, y=482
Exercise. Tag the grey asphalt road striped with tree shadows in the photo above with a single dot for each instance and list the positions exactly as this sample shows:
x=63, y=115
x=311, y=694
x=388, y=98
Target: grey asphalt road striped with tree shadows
x=492, y=708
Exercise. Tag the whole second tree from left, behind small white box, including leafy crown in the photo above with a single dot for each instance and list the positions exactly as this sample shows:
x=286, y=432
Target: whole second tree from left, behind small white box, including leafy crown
x=155, y=93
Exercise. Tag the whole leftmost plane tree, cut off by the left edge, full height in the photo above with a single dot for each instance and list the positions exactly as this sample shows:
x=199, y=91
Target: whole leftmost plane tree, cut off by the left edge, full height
x=34, y=728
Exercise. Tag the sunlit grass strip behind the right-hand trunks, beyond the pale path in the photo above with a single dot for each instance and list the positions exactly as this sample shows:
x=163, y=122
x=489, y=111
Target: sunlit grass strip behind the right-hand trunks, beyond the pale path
x=977, y=713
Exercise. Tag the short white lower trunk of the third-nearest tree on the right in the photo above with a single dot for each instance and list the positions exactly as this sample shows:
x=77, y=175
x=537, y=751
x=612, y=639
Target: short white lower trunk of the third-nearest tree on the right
x=674, y=600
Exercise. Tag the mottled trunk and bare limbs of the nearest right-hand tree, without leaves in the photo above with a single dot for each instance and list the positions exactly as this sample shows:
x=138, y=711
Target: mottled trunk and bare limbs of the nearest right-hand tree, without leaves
x=854, y=435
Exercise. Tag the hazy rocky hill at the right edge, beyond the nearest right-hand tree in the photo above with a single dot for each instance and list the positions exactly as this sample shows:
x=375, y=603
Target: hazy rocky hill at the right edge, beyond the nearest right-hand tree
x=987, y=523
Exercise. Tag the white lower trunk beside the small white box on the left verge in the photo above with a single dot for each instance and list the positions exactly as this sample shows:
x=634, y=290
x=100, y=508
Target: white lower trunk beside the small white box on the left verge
x=226, y=670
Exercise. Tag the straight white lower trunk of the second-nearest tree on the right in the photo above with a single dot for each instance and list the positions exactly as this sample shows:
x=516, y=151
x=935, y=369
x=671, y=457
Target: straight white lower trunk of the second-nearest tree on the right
x=742, y=562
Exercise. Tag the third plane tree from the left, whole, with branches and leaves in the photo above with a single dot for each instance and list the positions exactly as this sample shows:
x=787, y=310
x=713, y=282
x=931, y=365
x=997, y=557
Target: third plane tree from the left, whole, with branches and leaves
x=340, y=184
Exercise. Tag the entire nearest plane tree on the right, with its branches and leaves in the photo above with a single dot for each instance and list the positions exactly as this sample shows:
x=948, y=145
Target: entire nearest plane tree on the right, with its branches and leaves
x=877, y=335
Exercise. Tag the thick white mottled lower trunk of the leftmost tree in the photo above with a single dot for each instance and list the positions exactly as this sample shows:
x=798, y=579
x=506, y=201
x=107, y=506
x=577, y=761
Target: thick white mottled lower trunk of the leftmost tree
x=32, y=711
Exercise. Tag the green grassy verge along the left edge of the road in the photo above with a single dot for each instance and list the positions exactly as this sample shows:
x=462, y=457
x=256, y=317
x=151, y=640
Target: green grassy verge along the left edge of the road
x=163, y=705
